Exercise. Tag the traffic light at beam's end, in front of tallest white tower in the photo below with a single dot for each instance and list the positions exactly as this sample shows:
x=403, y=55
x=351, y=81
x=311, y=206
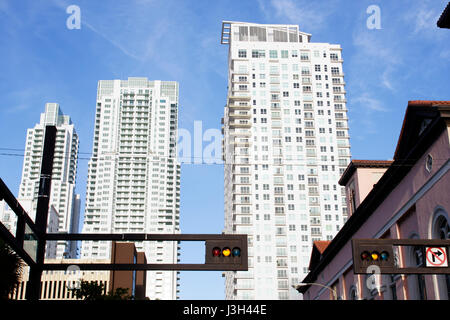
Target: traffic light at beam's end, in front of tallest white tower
x=230, y=254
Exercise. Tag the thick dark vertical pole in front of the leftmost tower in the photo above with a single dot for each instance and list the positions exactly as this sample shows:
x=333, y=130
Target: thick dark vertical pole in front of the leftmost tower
x=34, y=281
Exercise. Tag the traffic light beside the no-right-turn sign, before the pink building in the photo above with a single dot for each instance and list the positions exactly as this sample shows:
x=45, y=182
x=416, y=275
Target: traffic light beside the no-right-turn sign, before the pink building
x=368, y=253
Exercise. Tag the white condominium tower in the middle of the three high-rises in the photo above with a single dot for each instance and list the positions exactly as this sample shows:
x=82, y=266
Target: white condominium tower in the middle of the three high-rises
x=133, y=183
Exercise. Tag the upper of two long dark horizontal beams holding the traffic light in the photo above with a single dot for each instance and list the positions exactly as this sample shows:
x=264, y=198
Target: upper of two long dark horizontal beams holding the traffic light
x=140, y=237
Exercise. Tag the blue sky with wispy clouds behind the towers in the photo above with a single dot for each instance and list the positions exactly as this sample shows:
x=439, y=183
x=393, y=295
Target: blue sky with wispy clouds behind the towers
x=41, y=60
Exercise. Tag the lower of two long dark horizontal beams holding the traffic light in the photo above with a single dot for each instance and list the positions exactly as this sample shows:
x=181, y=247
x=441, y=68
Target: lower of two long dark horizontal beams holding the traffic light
x=157, y=266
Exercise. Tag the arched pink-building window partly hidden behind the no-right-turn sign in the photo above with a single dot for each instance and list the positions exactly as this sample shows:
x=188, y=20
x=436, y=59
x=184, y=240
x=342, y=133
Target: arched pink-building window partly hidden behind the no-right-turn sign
x=440, y=230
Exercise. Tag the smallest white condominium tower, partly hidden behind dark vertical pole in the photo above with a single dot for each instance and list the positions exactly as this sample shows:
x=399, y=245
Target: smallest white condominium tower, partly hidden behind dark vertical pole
x=62, y=194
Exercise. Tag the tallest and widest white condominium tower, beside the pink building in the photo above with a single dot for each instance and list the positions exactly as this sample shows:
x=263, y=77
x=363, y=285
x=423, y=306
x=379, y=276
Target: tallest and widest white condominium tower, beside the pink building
x=285, y=146
